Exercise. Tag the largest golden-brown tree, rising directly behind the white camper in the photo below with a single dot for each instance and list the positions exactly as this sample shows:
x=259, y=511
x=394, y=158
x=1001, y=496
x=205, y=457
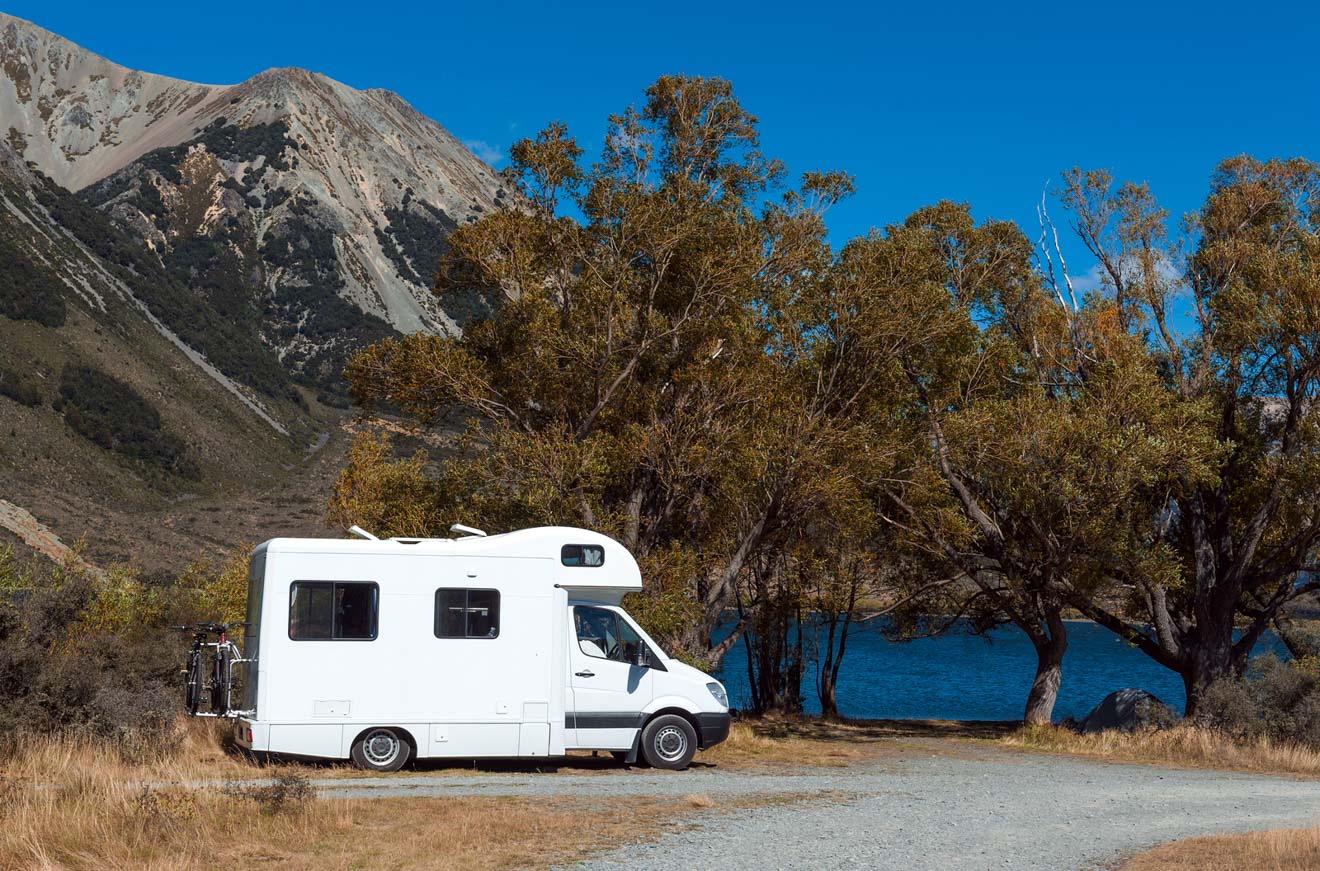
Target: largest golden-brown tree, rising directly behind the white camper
x=638, y=374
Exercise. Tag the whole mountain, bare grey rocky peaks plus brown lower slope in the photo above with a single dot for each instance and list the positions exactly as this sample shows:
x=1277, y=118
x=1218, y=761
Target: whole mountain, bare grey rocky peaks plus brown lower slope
x=184, y=270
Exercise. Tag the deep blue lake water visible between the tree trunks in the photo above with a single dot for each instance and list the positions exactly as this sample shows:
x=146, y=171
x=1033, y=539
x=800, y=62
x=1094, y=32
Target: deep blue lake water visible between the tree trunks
x=960, y=676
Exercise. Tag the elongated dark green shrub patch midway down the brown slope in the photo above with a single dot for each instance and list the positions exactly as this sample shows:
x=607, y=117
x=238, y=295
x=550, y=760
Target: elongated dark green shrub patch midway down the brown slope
x=117, y=418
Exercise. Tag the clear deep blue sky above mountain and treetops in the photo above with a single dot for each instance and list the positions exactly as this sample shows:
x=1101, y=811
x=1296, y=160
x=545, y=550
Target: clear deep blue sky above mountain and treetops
x=979, y=102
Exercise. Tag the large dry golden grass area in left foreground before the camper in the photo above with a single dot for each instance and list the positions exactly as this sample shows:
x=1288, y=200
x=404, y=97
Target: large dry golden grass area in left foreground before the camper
x=79, y=806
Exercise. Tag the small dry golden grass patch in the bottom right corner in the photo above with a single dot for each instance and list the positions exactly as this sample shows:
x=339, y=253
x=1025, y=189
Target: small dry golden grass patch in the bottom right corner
x=1282, y=851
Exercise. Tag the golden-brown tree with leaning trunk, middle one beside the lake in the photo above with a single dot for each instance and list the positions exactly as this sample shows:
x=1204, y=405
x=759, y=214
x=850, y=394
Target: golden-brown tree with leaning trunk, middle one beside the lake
x=1030, y=423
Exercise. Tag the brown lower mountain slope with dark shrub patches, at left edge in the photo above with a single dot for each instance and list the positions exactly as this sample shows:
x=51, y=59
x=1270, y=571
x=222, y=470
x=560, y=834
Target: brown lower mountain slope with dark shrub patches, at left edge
x=114, y=431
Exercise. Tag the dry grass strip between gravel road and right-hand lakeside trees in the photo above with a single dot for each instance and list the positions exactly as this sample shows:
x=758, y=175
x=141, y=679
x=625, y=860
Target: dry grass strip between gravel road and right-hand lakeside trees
x=1190, y=746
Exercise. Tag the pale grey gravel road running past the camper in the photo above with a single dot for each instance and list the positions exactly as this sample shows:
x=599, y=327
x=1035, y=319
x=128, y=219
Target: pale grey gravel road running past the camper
x=940, y=806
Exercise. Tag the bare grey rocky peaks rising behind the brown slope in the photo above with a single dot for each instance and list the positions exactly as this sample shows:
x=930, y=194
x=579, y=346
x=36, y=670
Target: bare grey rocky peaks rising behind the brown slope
x=312, y=213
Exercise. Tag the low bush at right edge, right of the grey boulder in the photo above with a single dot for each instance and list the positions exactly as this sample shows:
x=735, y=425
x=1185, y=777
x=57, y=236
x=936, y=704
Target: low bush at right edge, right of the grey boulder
x=1280, y=701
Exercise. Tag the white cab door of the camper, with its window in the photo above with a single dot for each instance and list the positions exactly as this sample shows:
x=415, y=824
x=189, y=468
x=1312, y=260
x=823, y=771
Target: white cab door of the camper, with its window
x=609, y=692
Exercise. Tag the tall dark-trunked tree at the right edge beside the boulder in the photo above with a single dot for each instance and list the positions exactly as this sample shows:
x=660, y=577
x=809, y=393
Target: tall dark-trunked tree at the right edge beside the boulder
x=1236, y=543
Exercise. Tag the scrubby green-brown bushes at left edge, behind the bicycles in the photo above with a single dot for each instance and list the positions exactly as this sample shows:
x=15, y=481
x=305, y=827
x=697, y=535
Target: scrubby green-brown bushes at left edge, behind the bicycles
x=90, y=655
